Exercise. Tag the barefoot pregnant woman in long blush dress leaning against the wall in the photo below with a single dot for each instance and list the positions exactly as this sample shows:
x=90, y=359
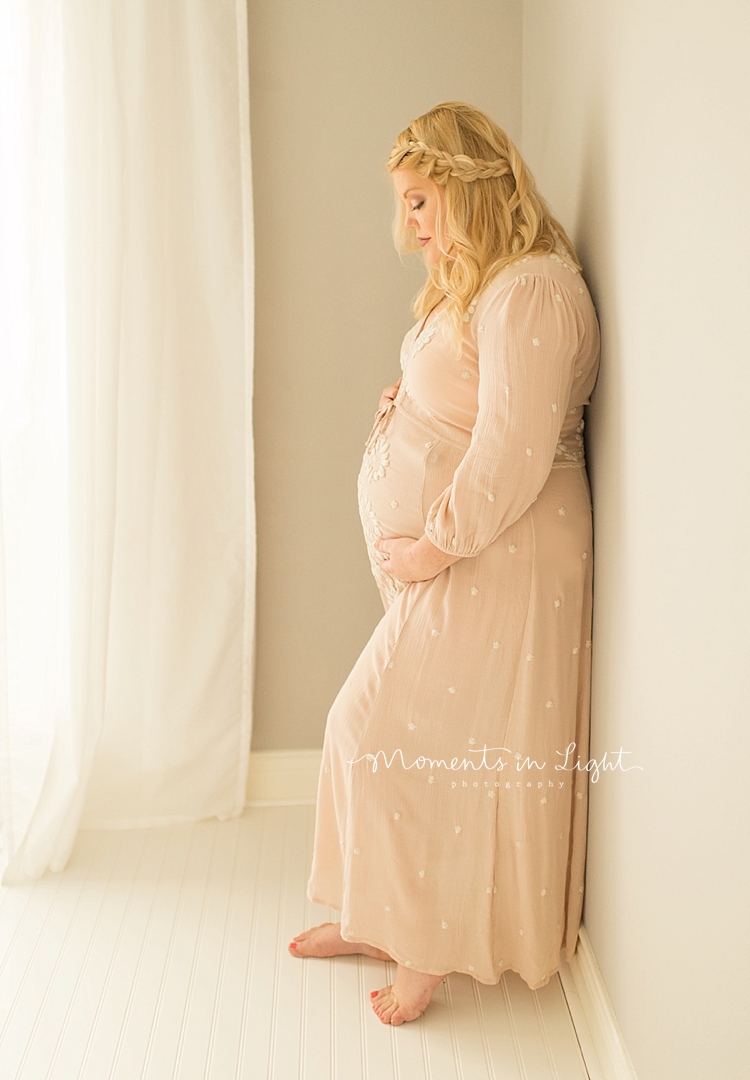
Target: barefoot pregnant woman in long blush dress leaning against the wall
x=452, y=814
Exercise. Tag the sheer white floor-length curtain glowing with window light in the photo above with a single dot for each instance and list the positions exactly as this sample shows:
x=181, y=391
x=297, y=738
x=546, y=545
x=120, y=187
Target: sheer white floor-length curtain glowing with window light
x=127, y=509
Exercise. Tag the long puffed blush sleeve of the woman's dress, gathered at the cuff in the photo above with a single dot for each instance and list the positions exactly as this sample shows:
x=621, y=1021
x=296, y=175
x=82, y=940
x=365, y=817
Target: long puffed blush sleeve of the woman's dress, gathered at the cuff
x=529, y=334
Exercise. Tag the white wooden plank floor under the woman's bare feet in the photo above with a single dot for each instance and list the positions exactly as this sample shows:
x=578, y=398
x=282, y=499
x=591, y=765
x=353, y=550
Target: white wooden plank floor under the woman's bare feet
x=162, y=955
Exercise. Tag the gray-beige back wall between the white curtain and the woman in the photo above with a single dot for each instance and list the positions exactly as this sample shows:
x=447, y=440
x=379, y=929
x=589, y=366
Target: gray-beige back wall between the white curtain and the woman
x=332, y=85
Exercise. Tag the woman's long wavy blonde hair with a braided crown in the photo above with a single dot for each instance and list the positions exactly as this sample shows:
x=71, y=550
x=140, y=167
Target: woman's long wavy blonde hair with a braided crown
x=491, y=212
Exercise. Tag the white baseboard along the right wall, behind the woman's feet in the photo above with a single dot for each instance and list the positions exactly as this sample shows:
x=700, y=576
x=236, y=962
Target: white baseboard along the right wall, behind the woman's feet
x=594, y=1018
